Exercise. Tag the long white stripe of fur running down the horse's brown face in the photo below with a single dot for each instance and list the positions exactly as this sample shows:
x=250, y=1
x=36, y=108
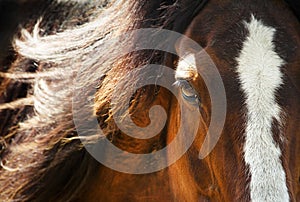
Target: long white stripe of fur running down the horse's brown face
x=260, y=77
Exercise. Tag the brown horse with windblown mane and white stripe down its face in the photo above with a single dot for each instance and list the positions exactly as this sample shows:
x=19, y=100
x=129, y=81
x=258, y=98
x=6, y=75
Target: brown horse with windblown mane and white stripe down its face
x=255, y=50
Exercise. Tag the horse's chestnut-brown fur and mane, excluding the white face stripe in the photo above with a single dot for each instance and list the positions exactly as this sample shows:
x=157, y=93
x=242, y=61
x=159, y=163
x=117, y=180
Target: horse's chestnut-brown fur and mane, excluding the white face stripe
x=40, y=154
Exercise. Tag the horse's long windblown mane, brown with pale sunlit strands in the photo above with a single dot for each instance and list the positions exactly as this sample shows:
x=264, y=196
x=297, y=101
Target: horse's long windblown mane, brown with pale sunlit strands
x=41, y=155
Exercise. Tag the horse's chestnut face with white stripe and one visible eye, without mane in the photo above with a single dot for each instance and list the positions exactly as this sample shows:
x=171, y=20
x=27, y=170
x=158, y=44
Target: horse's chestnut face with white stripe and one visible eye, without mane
x=230, y=172
